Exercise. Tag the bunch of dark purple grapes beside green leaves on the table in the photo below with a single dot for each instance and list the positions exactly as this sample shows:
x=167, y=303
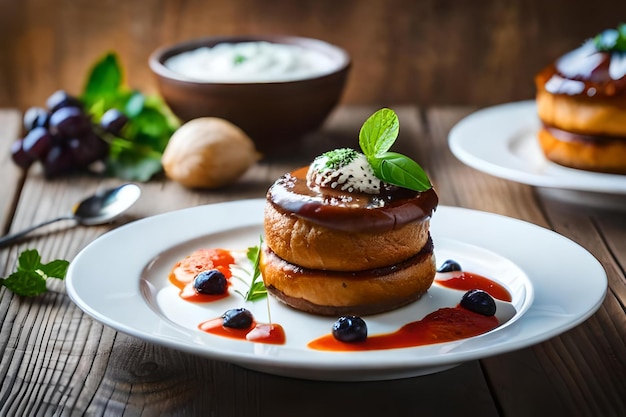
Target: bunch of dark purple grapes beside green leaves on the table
x=63, y=137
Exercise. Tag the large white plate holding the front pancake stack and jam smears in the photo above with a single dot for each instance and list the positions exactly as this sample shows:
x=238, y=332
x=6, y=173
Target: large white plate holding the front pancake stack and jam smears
x=121, y=280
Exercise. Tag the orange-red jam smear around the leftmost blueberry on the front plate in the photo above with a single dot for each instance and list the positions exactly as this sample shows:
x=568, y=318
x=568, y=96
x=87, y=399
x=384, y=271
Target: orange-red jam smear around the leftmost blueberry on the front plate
x=185, y=270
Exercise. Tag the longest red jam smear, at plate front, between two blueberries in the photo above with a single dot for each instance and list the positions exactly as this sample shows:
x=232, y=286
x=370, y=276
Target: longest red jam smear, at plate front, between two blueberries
x=443, y=325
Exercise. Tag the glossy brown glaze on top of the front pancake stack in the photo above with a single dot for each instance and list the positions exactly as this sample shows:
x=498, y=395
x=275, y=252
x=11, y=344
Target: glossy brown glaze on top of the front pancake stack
x=350, y=212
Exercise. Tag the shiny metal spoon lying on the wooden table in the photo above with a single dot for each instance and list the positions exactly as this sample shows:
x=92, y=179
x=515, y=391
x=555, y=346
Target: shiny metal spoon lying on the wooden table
x=100, y=208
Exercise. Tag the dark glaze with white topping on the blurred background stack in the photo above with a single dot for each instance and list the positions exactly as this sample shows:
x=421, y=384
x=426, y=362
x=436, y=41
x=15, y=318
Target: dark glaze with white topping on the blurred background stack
x=586, y=72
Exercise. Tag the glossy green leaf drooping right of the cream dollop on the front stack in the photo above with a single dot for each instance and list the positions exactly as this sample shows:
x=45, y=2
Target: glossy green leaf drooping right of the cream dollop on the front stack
x=402, y=171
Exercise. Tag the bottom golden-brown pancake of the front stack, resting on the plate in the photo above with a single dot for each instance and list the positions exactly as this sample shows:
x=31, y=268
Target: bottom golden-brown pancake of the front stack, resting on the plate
x=359, y=293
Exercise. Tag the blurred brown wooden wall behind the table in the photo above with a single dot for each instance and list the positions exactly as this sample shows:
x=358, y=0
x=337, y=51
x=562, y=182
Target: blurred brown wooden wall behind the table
x=477, y=52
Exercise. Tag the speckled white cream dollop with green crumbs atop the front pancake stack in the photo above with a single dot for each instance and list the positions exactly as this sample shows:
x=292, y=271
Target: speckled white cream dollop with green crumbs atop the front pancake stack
x=343, y=170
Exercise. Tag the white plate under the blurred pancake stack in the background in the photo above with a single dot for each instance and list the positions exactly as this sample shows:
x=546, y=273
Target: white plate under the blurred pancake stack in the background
x=501, y=141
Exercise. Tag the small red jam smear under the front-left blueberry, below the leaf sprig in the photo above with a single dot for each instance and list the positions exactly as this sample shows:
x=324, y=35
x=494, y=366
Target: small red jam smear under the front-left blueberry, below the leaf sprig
x=269, y=333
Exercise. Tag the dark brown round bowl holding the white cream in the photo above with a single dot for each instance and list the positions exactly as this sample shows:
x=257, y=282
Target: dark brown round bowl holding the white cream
x=274, y=114
